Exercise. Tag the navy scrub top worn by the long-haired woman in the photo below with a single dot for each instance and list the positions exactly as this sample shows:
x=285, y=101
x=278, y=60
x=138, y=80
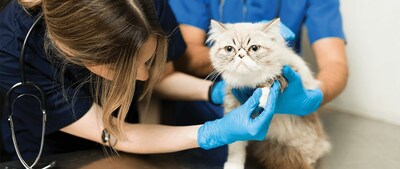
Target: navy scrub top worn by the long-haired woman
x=61, y=110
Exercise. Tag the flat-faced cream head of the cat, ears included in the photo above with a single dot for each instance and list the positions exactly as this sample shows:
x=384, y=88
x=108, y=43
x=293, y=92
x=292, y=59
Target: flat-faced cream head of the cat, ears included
x=246, y=54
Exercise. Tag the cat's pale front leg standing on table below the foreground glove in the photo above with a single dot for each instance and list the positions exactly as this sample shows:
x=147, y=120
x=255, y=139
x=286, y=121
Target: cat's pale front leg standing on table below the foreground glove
x=236, y=155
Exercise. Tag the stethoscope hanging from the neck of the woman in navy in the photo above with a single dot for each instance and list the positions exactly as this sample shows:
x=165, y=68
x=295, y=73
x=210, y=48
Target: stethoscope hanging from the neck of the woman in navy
x=24, y=84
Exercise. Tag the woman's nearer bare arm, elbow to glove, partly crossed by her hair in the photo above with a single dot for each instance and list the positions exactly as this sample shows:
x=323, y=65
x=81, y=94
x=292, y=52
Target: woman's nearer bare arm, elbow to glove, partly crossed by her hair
x=141, y=138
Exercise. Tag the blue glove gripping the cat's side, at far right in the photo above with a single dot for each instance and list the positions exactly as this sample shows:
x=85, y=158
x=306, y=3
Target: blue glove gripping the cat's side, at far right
x=295, y=99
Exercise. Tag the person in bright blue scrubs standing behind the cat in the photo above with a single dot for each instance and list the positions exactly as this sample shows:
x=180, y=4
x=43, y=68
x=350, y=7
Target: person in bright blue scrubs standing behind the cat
x=321, y=17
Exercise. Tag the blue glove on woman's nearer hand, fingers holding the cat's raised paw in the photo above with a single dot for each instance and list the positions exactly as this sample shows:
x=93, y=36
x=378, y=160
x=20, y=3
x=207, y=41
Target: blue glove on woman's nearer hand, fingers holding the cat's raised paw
x=238, y=125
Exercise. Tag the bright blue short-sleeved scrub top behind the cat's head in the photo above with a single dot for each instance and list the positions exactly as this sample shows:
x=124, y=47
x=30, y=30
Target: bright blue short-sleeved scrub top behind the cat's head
x=321, y=17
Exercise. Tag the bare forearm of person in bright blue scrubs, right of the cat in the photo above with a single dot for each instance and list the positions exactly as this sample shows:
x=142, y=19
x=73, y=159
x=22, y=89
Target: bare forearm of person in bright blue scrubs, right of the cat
x=332, y=65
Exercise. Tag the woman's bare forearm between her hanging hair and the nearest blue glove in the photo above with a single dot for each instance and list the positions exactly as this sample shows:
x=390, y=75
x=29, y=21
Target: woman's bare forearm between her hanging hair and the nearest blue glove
x=144, y=139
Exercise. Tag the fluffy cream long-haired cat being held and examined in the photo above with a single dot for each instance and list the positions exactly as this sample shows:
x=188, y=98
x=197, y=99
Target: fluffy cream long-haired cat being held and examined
x=253, y=55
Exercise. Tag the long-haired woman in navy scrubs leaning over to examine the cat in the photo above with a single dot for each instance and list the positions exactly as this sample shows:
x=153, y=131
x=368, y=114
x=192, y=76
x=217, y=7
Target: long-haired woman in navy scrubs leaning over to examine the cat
x=112, y=47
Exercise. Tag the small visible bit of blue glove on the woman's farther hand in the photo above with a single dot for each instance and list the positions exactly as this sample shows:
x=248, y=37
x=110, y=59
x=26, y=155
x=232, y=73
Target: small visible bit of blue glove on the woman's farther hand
x=216, y=92
